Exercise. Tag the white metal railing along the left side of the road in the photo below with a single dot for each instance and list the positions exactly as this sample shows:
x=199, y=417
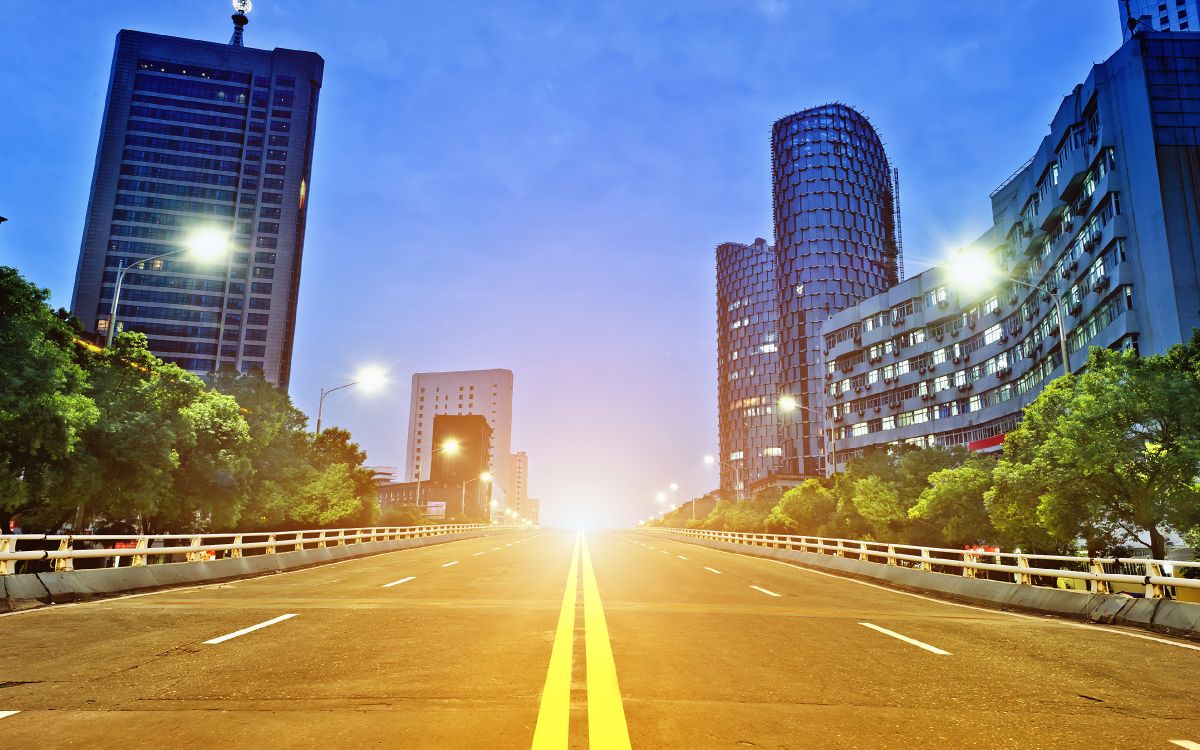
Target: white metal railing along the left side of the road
x=165, y=548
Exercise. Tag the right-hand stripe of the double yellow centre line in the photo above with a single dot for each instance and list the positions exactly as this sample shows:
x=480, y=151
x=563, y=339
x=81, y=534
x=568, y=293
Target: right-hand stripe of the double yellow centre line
x=607, y=713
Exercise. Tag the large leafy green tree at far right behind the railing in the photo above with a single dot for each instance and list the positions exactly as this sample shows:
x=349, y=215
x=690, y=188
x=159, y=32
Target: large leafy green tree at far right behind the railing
x=1111, y=454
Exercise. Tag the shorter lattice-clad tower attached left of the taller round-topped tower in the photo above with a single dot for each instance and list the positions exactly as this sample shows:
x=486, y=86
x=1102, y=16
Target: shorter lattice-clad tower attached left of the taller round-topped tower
x=747, y=363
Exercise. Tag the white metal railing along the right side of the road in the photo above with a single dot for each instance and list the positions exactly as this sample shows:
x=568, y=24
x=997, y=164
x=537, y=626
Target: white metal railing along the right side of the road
x=1100, y=574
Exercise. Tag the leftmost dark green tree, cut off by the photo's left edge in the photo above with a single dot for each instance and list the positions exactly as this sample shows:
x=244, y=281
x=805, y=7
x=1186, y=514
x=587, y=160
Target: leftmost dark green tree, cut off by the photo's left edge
x=44, y=404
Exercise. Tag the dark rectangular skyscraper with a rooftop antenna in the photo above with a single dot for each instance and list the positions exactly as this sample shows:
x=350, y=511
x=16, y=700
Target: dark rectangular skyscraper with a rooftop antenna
x=201, y=136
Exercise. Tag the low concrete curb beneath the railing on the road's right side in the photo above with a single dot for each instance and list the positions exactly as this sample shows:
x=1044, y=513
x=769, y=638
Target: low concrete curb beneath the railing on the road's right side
x=1163, y=615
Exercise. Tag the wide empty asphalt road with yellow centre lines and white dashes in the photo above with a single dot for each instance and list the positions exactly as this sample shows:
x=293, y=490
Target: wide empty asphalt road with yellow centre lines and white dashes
x=653, y=644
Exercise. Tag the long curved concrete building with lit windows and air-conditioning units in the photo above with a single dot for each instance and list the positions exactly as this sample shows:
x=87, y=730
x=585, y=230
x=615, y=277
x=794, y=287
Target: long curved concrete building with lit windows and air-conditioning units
x=1103, y=217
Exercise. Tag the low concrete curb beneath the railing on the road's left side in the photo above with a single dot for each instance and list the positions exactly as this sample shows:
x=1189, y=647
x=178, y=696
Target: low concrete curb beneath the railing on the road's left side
x=26, y=591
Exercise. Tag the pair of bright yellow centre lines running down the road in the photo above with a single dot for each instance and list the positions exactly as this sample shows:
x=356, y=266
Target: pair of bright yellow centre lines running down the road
x=607, y=713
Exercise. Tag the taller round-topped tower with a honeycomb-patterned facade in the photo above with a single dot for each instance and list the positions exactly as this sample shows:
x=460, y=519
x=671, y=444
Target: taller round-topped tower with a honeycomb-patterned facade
x=836, y=241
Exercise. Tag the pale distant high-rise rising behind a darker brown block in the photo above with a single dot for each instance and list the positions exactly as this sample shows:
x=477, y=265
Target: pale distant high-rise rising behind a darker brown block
x=488, y=393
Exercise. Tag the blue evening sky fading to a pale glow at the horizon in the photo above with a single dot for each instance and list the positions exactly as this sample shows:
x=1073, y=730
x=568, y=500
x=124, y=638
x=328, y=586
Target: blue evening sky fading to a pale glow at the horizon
x=539, y=187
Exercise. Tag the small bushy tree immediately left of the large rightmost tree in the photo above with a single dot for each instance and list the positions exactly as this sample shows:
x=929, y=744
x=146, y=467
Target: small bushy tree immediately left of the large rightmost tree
x=955, y=505
